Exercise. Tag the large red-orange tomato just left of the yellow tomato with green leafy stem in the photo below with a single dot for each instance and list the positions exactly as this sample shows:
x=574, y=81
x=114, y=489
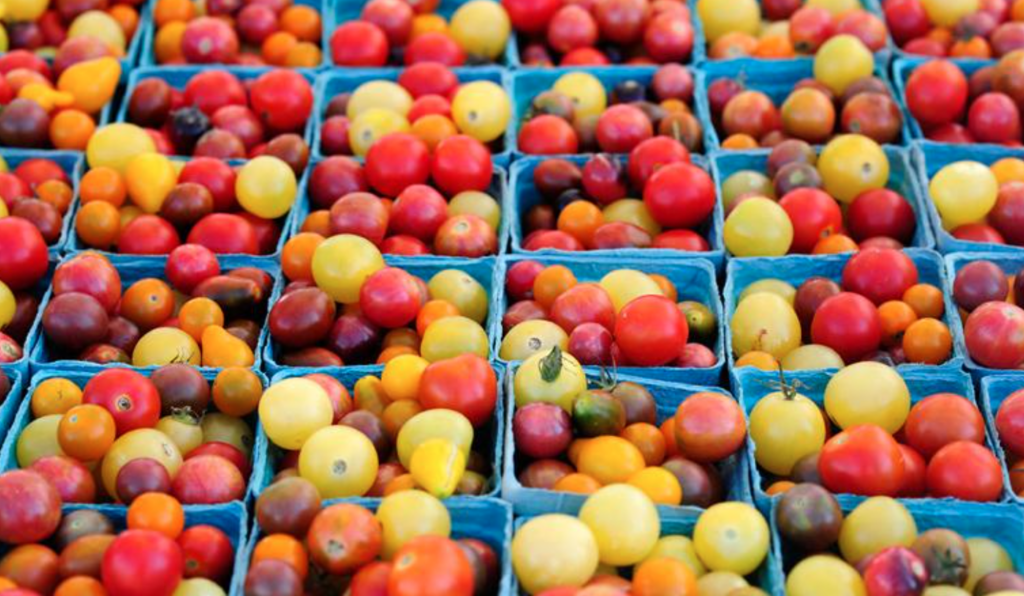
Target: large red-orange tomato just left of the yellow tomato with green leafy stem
x=465, y=384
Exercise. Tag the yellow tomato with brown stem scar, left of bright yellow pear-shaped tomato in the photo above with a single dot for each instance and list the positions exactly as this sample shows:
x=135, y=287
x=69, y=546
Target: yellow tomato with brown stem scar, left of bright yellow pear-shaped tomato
x=339, y=461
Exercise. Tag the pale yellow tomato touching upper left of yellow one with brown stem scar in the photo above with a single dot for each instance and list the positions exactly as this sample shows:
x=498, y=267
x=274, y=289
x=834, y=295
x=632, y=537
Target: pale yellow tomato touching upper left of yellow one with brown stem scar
x=291, y=411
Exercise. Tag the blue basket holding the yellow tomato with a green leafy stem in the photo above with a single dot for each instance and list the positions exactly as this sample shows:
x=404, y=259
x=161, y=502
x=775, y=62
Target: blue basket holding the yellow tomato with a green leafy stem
x=668, y=396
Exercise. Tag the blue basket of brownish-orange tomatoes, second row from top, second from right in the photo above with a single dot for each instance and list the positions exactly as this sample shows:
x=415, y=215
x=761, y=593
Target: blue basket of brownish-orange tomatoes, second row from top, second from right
x=774, y=78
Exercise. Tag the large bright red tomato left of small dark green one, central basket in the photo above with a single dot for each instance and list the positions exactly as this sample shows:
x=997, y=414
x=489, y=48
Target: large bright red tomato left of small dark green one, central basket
x=651, y=331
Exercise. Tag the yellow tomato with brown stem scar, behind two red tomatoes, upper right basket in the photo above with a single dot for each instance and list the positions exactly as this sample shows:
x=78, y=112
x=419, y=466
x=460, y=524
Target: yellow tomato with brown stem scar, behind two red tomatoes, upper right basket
x=852, y=164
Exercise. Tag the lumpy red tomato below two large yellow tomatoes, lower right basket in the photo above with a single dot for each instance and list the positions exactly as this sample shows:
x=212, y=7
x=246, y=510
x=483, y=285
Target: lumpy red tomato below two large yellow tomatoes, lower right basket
x=863, y=460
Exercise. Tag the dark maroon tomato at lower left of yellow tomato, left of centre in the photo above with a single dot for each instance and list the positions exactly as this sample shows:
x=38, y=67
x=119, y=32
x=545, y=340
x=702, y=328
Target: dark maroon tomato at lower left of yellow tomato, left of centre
x=303, y=318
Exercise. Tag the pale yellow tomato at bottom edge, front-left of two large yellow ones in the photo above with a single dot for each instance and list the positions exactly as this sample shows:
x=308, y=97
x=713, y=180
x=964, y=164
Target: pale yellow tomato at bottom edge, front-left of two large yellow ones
x=554, y=551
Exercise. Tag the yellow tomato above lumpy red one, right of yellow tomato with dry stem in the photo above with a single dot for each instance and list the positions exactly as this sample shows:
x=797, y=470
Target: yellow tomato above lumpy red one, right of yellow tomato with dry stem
x=868, y=394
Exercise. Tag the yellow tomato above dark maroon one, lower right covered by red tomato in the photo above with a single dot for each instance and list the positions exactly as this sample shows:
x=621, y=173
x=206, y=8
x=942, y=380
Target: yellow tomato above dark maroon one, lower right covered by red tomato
x=343, y=264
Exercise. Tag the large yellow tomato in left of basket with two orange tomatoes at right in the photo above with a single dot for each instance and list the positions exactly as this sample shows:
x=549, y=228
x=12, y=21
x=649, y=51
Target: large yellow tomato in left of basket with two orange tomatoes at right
x=765, y=323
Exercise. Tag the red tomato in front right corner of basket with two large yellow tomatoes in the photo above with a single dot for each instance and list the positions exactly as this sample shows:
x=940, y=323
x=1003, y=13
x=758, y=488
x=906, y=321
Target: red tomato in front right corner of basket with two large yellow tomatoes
x=965, y=471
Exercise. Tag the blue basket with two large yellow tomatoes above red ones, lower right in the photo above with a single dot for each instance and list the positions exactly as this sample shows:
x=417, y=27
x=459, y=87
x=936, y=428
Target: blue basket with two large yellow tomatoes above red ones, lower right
x=752, y=389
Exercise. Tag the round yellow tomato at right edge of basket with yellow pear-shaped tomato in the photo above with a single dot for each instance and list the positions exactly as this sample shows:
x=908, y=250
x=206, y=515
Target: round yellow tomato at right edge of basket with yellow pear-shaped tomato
x=267, y=188
